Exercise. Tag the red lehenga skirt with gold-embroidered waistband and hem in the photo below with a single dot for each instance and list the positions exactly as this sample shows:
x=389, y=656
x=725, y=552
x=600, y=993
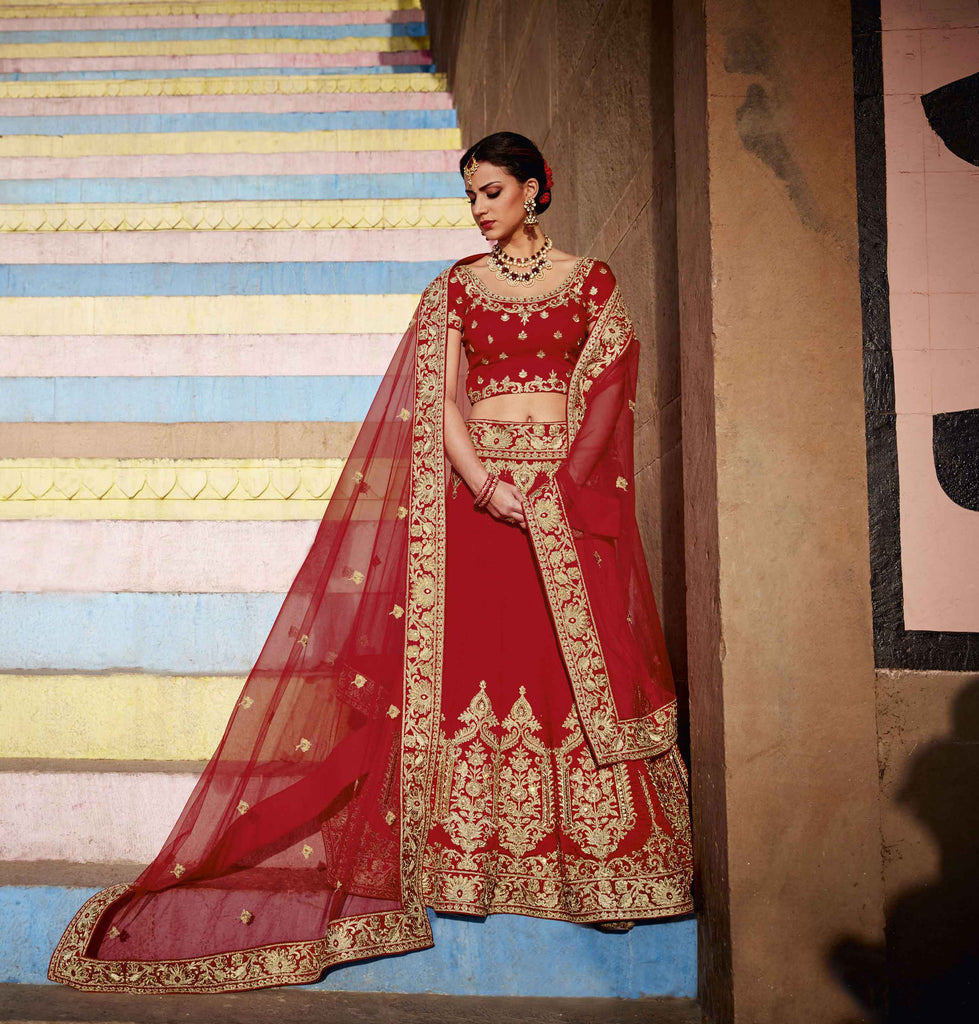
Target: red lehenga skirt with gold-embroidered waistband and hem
x=523, y=821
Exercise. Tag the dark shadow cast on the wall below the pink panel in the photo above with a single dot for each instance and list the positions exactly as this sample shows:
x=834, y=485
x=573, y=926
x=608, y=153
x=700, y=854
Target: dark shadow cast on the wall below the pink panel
x=929, y=971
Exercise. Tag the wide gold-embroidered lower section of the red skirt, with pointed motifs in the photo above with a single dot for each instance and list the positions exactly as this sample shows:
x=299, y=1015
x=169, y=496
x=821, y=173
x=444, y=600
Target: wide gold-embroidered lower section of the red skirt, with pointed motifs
x=498, y=801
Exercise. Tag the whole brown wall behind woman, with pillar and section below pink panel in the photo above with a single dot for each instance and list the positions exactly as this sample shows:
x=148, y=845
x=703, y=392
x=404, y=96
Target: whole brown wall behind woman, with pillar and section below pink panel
x=818, y=782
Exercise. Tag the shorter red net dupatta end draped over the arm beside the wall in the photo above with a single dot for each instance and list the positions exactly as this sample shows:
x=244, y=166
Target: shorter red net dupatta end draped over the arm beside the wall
x=586, y=541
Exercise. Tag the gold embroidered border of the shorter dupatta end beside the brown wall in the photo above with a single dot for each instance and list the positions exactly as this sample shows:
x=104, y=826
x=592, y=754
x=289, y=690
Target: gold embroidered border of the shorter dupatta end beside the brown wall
x=612, y=740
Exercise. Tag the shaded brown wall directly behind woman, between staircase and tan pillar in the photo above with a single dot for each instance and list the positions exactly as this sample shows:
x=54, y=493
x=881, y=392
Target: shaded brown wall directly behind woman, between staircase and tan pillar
x=591, y=83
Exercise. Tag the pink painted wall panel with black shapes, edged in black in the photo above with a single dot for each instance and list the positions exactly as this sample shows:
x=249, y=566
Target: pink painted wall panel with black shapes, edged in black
x=933, y=270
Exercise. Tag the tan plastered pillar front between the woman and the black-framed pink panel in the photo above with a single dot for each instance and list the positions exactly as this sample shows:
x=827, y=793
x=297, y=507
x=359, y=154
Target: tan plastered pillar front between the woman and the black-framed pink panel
x=779, y=604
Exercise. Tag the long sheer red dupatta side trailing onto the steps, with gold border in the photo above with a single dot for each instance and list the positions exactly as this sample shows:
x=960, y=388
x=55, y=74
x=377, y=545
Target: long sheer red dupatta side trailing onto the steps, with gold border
x=301, y=845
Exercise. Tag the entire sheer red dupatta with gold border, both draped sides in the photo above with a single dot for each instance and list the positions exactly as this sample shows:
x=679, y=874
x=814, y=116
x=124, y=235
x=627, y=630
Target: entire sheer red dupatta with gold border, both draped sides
x=302, y=845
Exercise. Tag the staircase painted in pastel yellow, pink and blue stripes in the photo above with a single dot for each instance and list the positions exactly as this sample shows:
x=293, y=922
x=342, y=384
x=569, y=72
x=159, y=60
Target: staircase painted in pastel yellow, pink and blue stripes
x=216, y=220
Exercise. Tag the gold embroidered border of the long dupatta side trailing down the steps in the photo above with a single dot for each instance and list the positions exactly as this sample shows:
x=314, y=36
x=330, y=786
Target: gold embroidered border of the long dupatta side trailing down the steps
x=367, y=935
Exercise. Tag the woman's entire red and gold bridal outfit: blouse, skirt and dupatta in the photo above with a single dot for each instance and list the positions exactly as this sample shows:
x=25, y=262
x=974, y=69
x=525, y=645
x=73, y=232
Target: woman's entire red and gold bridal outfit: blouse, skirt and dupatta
x=449, y=712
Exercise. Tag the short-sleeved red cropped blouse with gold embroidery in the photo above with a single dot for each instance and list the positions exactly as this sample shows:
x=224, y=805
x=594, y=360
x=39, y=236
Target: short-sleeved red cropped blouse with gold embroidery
x=520, y=346
